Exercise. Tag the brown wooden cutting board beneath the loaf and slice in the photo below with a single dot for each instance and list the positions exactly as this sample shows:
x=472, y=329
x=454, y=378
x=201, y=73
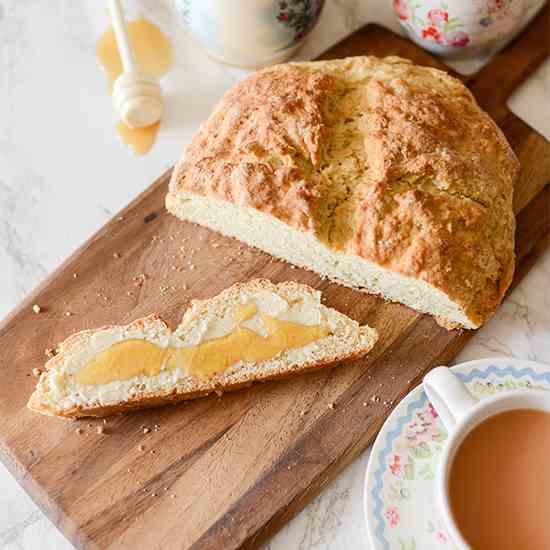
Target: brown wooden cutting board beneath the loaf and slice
x=228, y=472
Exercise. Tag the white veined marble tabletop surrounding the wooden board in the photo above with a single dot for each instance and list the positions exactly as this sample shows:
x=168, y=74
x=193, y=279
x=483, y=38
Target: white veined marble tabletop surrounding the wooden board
x=63, y=174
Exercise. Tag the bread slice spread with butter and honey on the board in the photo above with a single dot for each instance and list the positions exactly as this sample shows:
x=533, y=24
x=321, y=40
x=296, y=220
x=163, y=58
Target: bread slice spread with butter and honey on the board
x=250, y=332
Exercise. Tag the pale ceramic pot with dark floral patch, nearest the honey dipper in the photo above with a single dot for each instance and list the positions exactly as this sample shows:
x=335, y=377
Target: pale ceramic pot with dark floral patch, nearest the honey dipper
x=250, y=33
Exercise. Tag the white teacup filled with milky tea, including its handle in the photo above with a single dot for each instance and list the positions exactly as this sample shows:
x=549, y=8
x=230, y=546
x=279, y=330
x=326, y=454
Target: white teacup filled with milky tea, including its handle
x=493, y=483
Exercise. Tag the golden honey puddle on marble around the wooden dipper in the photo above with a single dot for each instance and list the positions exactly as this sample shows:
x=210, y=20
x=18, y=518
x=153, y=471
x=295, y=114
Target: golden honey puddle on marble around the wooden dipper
x=153, y=55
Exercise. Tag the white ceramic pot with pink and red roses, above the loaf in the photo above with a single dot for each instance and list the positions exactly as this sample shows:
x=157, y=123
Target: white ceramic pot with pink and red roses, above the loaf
x=459, y=28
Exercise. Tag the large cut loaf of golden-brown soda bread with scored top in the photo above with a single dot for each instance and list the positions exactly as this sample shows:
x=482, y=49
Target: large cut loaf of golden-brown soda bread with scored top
x=376, y=173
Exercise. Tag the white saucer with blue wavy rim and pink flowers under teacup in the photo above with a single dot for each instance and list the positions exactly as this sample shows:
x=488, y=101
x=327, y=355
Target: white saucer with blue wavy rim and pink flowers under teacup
x=399, y=483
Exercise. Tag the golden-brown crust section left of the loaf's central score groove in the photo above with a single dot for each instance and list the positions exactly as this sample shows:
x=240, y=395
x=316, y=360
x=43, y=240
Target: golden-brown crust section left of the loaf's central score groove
x=271, y=115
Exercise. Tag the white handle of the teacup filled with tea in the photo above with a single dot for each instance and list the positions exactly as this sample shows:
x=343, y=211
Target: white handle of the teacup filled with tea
x=449, y=396
